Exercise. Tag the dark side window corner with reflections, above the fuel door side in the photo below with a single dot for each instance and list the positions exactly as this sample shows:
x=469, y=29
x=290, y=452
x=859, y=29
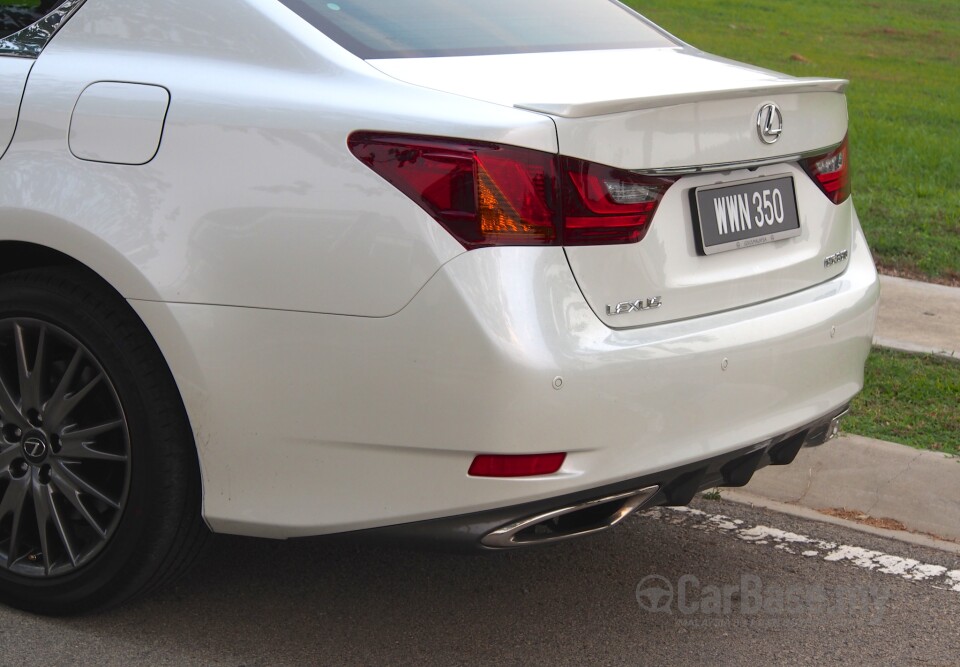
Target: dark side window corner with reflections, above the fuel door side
x=27, y=25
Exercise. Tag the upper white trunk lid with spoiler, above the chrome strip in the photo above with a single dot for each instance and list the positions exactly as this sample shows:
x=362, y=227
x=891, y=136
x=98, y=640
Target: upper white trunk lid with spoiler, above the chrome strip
x=644, y=108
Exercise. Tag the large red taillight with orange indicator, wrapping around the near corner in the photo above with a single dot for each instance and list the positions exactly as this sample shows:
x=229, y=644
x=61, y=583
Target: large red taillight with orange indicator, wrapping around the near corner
x=492, y=195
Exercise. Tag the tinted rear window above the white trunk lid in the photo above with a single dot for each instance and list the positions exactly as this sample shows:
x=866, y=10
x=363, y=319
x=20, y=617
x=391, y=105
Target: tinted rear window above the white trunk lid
x=423, y=28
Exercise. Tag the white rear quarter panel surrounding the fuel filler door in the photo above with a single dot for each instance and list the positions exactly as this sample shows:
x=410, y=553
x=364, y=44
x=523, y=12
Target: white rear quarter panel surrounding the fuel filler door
x=254, y=165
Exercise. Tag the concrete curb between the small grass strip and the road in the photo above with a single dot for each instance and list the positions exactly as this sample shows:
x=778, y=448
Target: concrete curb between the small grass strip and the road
x=920, y=489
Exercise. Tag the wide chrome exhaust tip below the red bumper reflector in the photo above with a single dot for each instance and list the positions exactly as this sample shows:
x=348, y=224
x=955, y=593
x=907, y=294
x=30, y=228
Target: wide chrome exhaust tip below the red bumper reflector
x=577, y=520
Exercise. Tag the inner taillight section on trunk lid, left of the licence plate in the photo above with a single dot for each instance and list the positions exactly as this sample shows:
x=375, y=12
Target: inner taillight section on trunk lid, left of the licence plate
x=607, y=205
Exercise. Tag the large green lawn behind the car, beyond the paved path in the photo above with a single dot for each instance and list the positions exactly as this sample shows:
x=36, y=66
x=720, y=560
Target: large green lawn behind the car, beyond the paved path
x=903, y=59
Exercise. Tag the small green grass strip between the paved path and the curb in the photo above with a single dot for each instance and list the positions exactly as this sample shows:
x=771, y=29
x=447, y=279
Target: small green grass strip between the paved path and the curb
x=910, y=399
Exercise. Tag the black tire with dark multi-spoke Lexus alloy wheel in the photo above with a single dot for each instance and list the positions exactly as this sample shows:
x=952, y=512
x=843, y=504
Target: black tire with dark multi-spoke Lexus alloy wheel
x=99, y=480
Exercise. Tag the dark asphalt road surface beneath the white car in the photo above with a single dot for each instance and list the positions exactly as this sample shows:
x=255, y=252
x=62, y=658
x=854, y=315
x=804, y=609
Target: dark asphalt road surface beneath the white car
x=724, y=598
